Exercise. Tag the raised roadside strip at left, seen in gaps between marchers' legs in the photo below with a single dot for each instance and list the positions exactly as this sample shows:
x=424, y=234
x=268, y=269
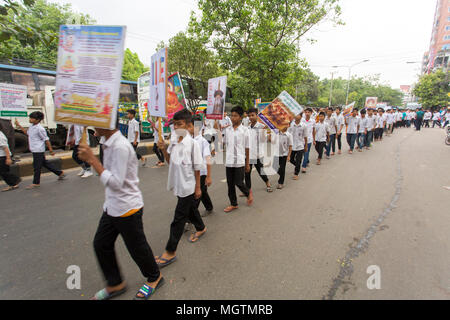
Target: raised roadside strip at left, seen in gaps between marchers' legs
x=63, y=160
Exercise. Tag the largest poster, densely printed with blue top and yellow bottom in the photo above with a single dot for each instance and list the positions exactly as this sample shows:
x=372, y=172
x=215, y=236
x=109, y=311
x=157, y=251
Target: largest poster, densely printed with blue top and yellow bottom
x=90, y=60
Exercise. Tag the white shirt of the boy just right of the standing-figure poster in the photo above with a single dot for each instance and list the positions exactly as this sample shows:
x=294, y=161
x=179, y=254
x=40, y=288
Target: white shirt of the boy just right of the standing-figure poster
x=237, y=140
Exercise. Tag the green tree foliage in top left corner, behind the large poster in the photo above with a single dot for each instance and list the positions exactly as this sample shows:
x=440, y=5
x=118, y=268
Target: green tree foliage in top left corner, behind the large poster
x=41, y=21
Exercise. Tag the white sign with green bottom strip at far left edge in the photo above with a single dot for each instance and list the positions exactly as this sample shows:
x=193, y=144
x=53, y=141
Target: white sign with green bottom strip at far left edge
x=13, y=100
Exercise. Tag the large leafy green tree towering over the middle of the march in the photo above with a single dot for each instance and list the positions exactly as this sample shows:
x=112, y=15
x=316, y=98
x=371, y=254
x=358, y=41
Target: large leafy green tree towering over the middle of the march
x=256, y=40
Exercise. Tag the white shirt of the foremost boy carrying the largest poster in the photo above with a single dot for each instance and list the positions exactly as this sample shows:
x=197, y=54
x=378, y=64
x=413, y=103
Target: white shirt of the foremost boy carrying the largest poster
x=120, y=177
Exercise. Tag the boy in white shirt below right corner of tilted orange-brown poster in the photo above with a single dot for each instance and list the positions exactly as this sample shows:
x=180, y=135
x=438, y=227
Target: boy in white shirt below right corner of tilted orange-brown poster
x=299, y=133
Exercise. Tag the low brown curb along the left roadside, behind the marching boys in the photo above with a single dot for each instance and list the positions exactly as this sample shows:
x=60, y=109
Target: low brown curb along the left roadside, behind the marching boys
x=65, y=162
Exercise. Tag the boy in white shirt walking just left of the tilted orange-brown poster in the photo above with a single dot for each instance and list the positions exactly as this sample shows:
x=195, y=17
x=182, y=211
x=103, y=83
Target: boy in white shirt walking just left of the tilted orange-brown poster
x=257, y=142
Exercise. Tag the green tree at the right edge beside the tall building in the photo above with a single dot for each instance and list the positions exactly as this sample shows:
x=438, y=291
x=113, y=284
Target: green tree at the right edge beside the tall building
x=432, y=89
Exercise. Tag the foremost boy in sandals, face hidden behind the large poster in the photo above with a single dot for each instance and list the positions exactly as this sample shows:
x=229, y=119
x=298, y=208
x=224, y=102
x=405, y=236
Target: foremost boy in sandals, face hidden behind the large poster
x=122, y=215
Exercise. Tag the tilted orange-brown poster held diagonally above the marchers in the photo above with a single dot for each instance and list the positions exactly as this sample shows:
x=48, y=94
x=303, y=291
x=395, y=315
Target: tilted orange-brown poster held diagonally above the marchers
x=280, y=113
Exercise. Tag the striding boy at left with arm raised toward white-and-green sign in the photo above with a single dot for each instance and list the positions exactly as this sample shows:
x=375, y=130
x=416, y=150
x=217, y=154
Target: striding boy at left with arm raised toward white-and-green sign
x=37, y=140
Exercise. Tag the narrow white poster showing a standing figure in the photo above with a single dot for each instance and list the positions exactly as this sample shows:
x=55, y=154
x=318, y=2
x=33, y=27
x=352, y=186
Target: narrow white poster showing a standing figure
x=217, y=89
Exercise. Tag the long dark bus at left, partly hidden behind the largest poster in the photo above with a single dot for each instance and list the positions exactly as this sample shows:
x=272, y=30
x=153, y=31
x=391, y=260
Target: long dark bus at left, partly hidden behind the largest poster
x=40, y=85
